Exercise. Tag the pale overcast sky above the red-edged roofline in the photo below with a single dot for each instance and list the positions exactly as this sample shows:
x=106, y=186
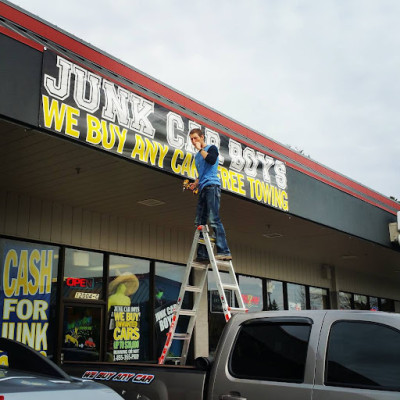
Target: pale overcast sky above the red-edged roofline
x=321, y=76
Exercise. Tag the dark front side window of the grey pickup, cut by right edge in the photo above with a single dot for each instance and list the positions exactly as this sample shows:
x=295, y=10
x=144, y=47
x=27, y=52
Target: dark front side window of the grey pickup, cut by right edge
x=363, y=355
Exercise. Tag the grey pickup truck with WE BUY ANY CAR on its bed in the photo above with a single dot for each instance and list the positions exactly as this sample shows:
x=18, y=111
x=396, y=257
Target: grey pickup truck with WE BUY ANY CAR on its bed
x=301, y=355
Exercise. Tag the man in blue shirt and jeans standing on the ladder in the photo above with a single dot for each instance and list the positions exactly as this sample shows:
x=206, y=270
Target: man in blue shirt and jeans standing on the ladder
x=209, y=187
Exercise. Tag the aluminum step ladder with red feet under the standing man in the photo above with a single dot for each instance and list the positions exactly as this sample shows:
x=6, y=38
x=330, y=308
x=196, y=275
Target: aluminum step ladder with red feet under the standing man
x=201, y=236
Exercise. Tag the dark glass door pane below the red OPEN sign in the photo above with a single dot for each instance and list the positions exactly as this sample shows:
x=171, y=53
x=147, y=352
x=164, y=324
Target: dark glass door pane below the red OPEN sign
x=81, y=333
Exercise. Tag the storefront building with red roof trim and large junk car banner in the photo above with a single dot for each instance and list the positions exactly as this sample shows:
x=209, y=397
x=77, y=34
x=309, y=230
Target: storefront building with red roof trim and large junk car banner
x=95, y=229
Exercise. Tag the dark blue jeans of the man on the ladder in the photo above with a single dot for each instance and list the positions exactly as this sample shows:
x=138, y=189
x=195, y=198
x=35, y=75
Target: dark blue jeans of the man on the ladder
x=208, y=209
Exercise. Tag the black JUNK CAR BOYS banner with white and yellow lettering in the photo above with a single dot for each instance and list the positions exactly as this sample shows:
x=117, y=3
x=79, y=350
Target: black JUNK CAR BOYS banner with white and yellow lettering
x=81, y=105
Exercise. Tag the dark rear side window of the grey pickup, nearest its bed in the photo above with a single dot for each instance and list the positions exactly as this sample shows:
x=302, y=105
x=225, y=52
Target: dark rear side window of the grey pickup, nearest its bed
x=271, y=351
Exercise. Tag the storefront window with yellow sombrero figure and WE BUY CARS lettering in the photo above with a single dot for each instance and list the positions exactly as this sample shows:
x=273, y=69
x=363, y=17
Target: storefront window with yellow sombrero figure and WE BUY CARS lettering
x=128, y=309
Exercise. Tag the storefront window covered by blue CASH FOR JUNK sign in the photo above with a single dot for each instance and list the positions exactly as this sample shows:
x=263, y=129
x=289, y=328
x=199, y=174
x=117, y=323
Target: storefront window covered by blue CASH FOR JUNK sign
x=28, y=293
